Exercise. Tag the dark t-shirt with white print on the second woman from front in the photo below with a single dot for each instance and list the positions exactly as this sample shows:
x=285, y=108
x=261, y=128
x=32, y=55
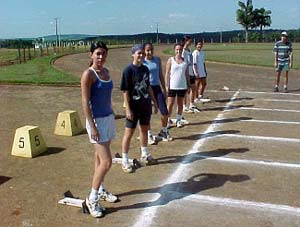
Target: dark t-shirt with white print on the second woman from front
x=135, y=80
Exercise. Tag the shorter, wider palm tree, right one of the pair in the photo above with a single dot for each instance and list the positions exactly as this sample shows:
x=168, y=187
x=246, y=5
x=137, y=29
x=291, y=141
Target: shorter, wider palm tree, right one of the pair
x=261, y=18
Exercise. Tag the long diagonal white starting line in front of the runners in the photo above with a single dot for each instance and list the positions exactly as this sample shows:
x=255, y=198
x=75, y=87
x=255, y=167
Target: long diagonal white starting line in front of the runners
x=146, y=217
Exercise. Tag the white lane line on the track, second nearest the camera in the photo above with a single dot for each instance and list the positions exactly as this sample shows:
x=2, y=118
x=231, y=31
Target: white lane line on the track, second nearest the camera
x=251, y=162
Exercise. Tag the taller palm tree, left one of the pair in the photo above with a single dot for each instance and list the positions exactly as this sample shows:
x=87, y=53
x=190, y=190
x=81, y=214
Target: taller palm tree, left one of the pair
x=244, y=16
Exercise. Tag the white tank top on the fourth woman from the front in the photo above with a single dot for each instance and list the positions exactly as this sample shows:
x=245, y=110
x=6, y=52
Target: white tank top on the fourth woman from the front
x=177, y=75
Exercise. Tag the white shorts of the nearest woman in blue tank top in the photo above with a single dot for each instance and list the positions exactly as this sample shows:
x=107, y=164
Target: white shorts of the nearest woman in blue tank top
x=106, y=128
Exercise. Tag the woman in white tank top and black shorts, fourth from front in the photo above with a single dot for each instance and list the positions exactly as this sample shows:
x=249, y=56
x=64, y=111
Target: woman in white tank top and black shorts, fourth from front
x=177, y=82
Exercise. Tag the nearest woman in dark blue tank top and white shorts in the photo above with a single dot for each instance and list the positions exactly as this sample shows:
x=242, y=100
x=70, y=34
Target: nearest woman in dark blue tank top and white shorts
x=96, y=89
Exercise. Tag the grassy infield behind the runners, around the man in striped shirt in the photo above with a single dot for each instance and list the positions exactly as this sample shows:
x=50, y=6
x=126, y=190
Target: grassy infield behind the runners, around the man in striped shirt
x=259, y=54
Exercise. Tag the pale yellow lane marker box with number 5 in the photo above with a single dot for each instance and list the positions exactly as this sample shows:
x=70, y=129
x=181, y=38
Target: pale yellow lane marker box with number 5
x=28, y=142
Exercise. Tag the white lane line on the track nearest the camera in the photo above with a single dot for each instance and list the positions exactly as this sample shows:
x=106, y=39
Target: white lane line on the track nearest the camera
x=244, y=204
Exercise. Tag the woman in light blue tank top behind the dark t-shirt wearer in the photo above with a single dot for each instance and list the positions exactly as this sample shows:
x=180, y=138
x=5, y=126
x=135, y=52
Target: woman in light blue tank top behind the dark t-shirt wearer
x=157, y=84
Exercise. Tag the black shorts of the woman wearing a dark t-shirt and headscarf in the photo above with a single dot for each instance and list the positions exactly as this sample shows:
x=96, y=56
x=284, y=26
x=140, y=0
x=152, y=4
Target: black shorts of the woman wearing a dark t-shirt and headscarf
x=141, y=113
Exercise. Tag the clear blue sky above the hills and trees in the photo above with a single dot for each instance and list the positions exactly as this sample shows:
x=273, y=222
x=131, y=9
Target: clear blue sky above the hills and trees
x=35, y=18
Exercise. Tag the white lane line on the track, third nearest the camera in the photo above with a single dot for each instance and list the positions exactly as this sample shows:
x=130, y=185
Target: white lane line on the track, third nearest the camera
x=280, y=139
